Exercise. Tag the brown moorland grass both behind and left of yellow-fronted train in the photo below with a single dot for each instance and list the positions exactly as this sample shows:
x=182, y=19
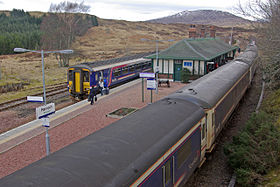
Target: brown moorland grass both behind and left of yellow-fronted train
x=111, y=39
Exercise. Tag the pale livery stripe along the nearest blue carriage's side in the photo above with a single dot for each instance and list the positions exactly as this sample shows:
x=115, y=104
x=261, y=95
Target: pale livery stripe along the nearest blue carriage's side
x=160, y=161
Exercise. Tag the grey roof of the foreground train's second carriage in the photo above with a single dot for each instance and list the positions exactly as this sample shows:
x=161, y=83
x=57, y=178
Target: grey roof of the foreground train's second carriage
x=209, y=89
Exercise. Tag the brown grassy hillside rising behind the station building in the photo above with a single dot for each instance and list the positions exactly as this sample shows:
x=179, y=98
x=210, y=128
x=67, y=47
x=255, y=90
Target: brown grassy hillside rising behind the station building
x=115, y=38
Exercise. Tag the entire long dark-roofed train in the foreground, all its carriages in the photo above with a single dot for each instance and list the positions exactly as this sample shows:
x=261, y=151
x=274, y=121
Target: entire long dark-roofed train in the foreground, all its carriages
x=159, y=145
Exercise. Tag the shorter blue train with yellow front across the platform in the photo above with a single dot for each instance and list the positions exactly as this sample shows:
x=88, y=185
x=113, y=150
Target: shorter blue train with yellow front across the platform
x=82, y=77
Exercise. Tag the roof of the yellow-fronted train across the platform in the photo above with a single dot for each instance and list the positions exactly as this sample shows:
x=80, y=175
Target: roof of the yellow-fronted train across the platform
x=98, y=65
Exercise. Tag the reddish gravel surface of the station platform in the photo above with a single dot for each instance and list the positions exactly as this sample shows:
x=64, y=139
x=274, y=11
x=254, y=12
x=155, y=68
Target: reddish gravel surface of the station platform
x=68, y=132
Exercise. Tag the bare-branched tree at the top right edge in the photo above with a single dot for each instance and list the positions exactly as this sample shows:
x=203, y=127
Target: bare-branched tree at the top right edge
x=266, y=16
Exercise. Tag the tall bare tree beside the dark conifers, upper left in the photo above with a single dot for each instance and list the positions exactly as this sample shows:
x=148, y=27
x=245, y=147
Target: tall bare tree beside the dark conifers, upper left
x=62, y=25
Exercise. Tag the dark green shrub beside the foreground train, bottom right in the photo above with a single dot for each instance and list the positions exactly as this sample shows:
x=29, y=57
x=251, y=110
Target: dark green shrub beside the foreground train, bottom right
x=255, y=151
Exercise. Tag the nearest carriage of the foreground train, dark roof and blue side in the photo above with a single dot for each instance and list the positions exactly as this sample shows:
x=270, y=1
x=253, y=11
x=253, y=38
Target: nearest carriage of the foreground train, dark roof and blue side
x=143, y=149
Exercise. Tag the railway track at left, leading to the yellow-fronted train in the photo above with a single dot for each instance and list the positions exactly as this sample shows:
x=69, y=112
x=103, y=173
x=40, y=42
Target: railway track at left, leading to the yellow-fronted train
x=50, y=91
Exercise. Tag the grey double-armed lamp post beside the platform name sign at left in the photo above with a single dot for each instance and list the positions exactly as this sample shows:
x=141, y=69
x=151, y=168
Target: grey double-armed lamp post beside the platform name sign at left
x=42, y=52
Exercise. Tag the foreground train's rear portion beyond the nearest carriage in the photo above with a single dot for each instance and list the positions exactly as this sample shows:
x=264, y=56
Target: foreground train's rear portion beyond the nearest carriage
x=219, y=92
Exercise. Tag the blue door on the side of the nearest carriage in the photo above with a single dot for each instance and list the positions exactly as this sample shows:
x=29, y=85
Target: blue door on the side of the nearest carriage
x=168, y=172
